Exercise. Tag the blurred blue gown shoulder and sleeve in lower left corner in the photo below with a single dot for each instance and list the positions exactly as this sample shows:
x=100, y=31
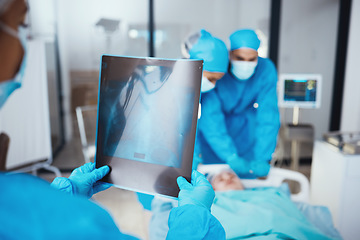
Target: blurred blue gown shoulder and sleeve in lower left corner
x=31, y=209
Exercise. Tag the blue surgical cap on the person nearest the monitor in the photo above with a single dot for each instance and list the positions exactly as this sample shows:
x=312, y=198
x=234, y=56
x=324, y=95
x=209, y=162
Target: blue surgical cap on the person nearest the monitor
x=245, y=38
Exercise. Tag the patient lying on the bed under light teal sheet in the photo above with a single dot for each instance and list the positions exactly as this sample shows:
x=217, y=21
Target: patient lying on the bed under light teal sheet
x=258, y=213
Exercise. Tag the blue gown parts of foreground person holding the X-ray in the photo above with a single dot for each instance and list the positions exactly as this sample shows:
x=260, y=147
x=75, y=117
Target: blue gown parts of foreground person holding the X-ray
x=31, y=209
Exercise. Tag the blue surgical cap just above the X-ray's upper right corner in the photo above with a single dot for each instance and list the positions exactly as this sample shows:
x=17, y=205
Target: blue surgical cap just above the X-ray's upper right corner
x=212, y=50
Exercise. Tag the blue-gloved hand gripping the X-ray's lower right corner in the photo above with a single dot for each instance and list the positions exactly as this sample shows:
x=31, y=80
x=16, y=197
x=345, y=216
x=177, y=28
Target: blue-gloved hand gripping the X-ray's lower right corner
x=199, y=192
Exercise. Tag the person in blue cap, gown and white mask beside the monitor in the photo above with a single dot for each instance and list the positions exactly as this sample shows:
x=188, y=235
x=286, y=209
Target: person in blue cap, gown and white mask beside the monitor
x=240, y=118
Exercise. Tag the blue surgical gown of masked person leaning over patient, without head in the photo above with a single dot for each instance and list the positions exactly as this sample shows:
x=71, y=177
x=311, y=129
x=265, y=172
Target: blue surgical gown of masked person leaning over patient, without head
x=240, y=117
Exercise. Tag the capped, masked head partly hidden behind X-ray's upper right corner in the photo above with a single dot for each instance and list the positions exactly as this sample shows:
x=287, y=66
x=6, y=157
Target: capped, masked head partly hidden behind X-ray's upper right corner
x=202, y=45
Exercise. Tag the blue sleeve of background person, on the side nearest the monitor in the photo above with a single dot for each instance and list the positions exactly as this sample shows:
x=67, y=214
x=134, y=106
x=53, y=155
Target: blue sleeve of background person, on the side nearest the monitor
x=267, y=119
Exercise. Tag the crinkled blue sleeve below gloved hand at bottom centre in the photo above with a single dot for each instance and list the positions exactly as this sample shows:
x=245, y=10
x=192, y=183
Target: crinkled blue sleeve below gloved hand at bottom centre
x=194, y=222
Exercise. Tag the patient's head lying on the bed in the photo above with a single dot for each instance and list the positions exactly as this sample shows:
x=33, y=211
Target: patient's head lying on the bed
x=225, y=180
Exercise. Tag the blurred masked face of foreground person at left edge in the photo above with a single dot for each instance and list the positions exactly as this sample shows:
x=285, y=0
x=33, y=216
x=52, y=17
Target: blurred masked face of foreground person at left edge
x=12, y=15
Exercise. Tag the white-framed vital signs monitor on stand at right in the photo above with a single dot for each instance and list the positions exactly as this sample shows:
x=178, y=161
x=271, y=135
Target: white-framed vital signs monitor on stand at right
x=300, y=90
